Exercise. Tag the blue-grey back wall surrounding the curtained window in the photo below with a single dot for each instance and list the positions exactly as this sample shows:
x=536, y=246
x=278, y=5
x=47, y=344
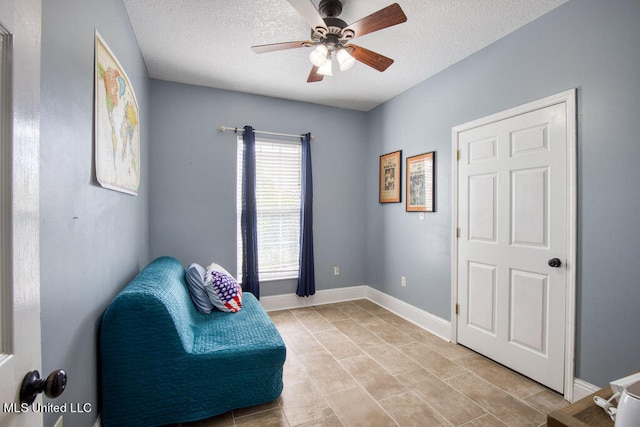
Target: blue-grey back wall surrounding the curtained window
x=193, y=178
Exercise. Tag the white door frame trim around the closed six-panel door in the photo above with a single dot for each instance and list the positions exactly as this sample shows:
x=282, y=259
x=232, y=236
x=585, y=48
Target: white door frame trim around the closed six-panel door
x=569, y=99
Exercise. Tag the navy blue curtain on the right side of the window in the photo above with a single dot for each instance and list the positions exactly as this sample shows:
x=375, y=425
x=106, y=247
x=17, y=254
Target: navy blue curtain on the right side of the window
x=306, y=273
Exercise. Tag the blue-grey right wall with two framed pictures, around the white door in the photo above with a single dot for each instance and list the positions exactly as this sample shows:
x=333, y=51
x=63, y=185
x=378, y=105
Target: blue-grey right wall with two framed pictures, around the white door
x=591, y=45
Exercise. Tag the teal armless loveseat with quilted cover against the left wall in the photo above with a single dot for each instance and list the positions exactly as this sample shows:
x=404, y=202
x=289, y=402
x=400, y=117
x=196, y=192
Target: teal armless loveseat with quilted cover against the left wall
x=163, y=362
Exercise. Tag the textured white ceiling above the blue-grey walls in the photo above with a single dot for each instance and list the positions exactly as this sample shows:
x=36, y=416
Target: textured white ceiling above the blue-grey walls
x=208, y=43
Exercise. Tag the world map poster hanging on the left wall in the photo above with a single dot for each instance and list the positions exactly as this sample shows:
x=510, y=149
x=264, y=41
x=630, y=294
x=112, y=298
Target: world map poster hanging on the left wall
x=117, y=133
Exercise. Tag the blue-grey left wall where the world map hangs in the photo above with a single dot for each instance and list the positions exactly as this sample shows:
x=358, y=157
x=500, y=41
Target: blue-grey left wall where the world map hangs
x=92, y=240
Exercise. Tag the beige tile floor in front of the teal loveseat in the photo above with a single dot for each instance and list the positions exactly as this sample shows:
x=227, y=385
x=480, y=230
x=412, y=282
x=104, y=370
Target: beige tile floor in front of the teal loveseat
x=356, y=364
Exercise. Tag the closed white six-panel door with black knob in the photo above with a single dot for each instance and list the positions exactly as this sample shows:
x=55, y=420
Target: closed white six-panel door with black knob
x=513, y=203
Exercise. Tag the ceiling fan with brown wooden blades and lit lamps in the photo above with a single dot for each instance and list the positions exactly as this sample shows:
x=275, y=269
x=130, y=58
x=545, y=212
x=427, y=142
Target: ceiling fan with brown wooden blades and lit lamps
x=331, y=36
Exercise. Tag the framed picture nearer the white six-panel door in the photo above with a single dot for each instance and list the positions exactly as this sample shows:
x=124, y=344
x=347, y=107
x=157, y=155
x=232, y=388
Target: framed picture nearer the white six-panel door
x=420, y=183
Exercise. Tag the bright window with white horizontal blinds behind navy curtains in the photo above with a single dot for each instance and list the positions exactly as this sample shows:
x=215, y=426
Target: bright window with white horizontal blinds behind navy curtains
x=278, y=194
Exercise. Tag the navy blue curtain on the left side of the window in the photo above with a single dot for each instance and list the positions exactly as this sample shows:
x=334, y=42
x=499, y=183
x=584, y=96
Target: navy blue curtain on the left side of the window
x=249, y=217
